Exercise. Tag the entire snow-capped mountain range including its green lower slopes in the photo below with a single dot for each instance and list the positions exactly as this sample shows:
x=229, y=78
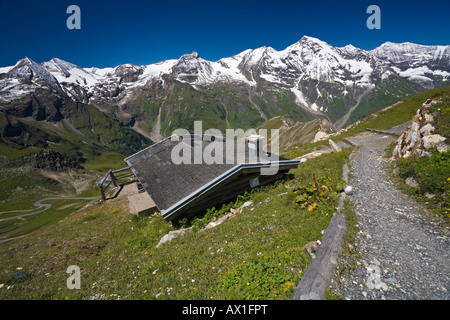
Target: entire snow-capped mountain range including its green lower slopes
x=308, y=78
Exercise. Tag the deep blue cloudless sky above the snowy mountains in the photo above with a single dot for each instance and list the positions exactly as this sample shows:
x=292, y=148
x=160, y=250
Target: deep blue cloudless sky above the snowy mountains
x=142, y=32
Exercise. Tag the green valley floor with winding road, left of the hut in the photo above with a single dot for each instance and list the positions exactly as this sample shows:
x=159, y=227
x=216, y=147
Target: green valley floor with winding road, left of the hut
x=21, y=187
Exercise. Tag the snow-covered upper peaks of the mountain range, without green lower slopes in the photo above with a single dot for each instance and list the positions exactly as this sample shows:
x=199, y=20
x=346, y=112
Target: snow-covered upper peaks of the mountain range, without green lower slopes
x=292, y=69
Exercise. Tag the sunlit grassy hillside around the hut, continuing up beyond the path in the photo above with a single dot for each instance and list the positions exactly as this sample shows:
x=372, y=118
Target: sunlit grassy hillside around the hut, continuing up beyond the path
x=257, y=254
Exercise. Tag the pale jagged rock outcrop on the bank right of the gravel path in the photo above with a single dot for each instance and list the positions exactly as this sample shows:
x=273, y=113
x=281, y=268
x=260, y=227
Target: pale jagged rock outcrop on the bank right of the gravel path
x=420, y=139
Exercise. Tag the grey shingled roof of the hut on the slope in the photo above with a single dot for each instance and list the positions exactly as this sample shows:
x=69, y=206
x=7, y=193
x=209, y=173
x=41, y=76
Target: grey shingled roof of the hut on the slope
x=170, y=184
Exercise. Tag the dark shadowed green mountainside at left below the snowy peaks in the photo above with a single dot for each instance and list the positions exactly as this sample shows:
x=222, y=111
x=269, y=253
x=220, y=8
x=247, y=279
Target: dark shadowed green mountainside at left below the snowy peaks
x=85, y=132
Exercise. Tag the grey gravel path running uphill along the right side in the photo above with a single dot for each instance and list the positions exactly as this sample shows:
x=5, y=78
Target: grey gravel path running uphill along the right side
x=403, y=254
